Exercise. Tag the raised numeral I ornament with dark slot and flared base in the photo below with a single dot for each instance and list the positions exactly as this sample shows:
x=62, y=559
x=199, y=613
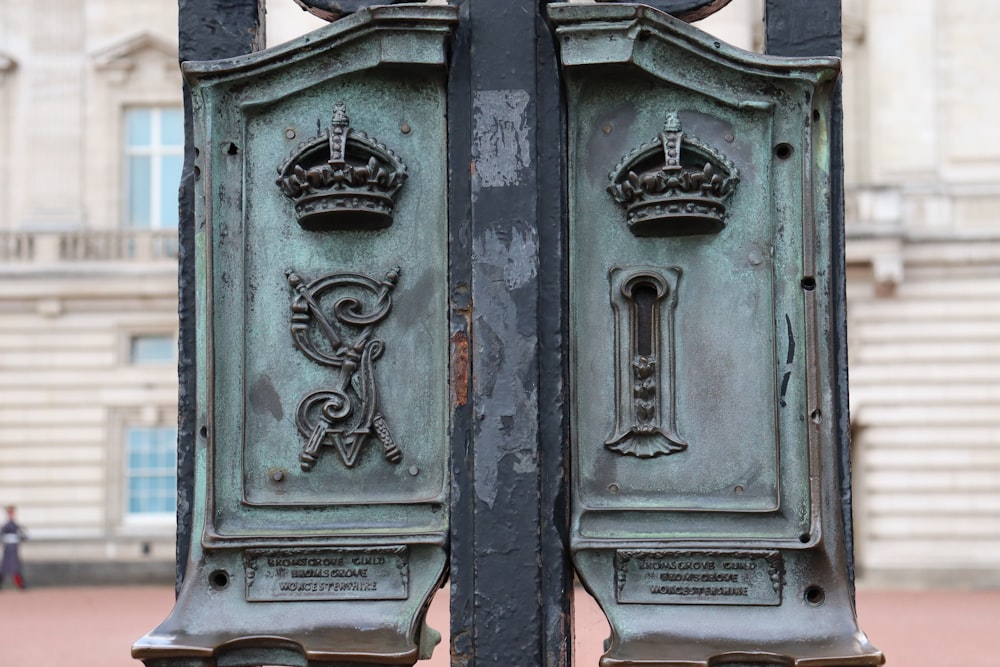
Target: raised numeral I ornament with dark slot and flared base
x=643, y=300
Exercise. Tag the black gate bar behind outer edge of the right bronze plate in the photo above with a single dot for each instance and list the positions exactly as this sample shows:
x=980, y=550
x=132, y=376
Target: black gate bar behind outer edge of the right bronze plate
x=791, y=31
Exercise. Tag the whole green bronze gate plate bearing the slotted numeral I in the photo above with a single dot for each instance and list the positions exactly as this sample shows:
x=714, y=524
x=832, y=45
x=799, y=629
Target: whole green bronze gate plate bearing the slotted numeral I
x=700, y=200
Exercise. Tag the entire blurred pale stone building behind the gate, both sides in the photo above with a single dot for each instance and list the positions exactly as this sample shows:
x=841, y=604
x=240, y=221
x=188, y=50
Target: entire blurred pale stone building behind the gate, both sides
x=90, y=150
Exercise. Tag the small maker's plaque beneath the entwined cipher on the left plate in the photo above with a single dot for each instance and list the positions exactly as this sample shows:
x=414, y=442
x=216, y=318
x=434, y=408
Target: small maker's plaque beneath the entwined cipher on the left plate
x=379, y=573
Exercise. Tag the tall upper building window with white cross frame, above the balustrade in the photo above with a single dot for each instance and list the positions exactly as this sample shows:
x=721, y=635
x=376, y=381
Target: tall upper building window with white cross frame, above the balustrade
x=154, y=153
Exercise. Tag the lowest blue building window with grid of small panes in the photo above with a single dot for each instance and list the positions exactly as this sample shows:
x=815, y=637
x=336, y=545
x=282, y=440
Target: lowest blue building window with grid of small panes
x=151, y=471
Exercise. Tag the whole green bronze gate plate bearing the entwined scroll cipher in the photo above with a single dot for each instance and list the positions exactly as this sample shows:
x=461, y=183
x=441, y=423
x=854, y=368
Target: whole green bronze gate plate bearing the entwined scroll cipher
x=321, y=492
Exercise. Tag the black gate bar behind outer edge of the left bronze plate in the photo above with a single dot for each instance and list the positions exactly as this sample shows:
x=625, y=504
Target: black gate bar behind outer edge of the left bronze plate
x=207, y=30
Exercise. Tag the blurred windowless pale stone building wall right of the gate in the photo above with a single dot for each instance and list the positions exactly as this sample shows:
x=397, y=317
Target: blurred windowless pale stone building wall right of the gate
x=923, y=225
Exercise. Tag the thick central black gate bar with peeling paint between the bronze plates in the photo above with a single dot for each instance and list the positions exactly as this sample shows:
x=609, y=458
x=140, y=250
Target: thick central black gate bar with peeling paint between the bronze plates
x=511, y=579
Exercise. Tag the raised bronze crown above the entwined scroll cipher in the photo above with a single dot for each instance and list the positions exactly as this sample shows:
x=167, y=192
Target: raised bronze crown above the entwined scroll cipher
x=342, y=179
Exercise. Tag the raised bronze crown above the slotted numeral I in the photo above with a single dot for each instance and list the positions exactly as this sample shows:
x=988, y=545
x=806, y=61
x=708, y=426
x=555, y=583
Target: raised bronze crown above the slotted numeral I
x=675, y=185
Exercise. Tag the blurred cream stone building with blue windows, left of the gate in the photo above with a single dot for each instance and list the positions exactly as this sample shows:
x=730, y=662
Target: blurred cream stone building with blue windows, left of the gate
x=91, y=135
